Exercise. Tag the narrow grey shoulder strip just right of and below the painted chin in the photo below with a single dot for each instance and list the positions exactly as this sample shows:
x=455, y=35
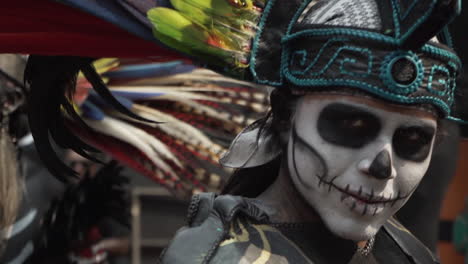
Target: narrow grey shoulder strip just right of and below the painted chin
x=409, y=244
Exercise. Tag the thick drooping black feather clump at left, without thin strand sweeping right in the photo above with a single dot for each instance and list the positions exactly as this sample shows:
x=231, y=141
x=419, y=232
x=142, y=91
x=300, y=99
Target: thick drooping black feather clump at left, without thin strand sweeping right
x=51, y=81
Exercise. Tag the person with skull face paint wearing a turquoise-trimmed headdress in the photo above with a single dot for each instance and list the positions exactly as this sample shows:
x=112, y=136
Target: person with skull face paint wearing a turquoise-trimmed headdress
x=361, y=86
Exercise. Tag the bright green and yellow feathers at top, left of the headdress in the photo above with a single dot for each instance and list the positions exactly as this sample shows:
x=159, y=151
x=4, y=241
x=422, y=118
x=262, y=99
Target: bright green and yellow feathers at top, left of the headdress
x=217, y=31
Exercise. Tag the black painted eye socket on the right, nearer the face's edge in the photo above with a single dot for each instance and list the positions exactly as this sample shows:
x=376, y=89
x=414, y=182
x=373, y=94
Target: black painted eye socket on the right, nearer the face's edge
x=413, y=142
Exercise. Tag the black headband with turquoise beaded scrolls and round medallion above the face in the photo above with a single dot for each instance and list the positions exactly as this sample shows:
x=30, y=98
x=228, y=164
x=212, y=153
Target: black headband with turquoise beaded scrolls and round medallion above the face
x=400, y=76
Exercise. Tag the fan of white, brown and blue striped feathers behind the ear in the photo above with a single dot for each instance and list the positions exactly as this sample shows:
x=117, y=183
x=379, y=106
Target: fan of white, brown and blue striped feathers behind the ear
x=198, y=112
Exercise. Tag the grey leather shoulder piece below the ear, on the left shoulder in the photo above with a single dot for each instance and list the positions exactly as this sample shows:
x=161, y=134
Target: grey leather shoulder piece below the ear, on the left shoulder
x=209, y=219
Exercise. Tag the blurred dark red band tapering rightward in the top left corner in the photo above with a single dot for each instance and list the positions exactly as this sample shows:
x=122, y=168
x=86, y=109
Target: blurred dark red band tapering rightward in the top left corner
x=48, y=28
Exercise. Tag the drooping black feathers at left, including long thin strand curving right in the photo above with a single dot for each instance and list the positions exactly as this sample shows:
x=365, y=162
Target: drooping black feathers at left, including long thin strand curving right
x=52, y=81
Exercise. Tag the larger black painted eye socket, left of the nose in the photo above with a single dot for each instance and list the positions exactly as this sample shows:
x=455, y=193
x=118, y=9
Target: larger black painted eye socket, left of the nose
x=347, y=125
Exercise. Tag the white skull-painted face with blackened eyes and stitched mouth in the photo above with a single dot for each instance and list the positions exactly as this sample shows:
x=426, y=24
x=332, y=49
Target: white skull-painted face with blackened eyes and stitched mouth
x=356, y=161
